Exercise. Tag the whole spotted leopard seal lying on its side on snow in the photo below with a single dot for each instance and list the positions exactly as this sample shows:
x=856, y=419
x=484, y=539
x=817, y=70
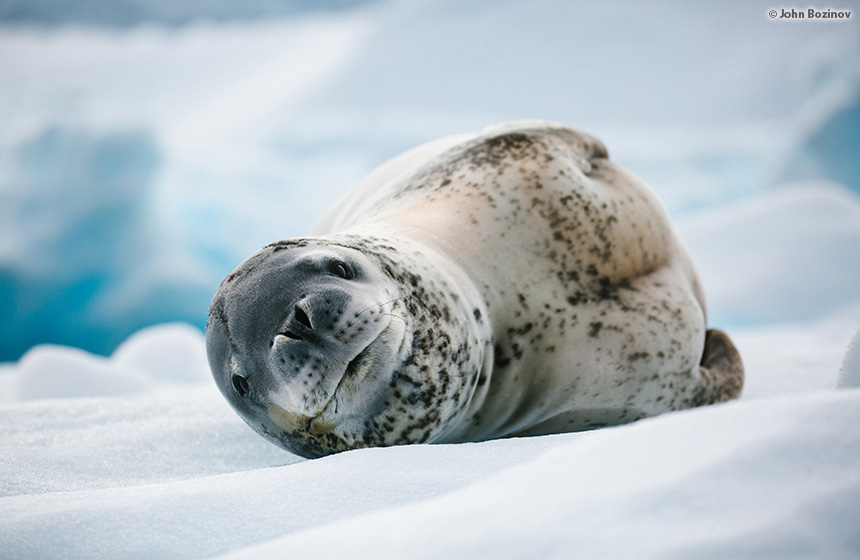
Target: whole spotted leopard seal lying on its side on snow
x=512, y=282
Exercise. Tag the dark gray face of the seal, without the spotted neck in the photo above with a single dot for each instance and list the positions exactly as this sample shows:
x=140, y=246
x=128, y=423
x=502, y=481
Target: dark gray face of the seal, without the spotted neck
x=302, y=339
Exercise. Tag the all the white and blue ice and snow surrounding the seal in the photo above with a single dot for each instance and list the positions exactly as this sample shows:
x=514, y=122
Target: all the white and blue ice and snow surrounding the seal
x=142, y=157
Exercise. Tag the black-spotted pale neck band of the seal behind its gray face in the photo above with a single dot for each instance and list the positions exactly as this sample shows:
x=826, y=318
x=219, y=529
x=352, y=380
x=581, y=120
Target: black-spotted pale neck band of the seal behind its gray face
x=452, y=334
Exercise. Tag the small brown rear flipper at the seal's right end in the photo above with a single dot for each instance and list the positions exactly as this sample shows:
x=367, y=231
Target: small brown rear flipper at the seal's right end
x=721, y=370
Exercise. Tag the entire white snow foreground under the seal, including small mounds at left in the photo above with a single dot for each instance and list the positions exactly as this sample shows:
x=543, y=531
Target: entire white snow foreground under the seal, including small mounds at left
x=172, y=472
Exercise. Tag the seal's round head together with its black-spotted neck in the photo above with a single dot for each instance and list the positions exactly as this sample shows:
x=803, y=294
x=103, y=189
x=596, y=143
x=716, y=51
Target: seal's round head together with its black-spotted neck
x=324, y=346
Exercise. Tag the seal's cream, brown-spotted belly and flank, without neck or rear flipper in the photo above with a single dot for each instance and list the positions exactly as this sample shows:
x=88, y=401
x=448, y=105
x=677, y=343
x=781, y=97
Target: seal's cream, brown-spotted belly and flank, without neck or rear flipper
x=590, y=283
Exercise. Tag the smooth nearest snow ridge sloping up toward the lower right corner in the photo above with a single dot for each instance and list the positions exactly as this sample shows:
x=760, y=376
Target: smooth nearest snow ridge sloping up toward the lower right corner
x=773, y=481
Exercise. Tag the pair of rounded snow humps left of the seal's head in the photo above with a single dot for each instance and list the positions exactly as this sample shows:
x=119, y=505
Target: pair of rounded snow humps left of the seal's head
x=155, y=357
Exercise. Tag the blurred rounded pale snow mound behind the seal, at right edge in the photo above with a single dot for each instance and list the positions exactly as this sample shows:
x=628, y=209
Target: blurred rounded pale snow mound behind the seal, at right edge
x=787, y=254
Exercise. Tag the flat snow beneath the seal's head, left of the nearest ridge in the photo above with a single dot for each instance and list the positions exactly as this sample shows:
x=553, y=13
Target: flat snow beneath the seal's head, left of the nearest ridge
x=188, y=469
